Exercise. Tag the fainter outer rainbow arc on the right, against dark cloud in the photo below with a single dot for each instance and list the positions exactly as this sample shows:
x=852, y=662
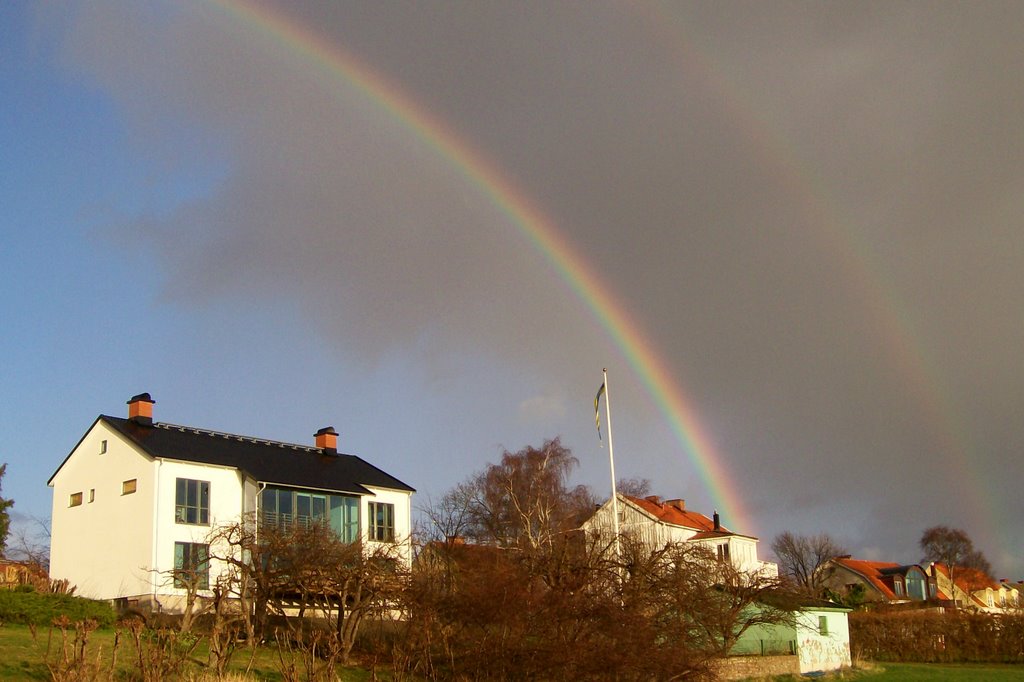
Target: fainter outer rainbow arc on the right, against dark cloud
x=892, y=322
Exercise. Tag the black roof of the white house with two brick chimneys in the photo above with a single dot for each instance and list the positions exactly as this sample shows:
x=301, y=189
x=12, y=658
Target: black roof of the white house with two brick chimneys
x=267, y=461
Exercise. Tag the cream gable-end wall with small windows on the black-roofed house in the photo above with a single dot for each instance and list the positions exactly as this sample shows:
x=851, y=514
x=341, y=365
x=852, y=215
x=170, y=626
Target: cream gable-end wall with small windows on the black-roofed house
x=103, y=546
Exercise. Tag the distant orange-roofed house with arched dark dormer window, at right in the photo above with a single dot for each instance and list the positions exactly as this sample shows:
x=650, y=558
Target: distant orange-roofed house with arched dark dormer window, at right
x=881, y=581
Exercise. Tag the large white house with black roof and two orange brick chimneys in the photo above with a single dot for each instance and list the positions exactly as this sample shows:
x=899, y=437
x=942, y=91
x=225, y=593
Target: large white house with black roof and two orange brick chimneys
x=137, y=500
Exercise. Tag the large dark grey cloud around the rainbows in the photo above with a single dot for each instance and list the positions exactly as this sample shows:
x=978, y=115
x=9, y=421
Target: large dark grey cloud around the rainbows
x=812, y=209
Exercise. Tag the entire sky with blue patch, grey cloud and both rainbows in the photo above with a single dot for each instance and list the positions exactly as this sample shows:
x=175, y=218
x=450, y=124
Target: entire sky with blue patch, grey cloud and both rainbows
x=791, y=232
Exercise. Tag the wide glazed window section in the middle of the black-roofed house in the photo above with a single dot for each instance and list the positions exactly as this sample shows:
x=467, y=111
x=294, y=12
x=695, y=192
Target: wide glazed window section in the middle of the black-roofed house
x=285, y=508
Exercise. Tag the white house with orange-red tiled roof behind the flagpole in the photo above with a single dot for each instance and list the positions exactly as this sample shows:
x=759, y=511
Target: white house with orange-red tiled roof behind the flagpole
x=658, y=524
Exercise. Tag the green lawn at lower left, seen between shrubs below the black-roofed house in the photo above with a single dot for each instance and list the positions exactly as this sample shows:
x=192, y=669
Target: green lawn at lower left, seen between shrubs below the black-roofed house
x=23, y=658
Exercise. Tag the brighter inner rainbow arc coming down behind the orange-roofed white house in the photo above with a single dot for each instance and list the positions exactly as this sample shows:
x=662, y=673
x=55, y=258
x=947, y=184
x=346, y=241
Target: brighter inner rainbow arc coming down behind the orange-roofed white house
x=540, y=232
